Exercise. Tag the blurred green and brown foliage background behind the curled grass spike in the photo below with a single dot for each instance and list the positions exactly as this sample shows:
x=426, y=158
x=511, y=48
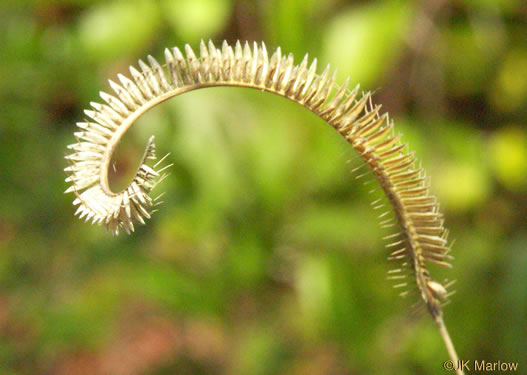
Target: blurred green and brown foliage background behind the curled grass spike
x=266, y=257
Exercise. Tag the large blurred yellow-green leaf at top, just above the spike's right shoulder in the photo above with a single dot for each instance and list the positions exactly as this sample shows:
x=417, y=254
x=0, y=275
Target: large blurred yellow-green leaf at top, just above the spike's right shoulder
x=364, y=42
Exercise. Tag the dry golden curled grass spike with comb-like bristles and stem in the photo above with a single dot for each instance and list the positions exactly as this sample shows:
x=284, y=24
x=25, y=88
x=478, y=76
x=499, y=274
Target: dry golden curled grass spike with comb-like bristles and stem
x=422, y=237
